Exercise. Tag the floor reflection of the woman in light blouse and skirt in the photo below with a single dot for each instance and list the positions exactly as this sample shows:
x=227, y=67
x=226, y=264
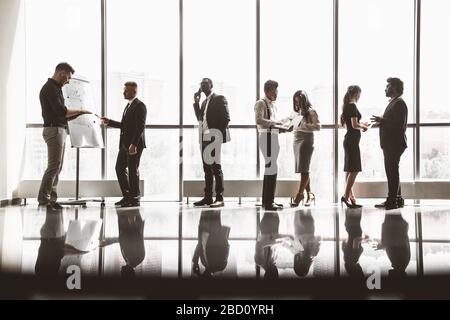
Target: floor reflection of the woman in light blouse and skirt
x=306, y=244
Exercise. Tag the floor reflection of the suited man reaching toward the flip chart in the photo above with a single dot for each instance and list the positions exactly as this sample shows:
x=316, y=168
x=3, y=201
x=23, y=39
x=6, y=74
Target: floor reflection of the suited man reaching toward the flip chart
x=131, y=239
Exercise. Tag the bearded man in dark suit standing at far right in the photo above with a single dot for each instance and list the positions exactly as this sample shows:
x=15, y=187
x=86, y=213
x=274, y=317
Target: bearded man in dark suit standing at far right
x=393, y=140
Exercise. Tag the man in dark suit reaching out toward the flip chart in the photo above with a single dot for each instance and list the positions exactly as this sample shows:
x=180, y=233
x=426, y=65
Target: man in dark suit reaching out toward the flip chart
x=131, y=145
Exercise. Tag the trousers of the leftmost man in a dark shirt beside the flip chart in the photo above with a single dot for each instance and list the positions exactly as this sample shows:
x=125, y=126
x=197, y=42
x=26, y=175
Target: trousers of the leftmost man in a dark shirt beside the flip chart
x=55, y=138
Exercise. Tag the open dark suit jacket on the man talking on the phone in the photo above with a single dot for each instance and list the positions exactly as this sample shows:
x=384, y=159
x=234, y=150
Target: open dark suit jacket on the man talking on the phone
x=217, y=115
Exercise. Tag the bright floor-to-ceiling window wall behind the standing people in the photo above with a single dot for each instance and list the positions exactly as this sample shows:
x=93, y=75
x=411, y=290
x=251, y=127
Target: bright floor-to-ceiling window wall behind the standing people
x=293, y=42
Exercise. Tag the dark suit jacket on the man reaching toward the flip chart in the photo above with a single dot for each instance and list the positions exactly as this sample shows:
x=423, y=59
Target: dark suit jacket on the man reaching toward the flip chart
x=132, y=125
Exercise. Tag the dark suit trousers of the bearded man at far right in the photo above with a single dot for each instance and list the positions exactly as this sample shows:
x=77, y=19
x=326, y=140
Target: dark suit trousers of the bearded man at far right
x=391, y=165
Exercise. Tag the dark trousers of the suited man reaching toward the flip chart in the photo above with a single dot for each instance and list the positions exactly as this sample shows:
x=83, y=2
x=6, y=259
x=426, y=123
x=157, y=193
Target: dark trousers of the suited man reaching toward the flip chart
x=127, y=170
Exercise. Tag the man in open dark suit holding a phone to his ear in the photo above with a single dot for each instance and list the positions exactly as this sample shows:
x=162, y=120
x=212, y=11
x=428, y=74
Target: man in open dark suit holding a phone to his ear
x=213, y=117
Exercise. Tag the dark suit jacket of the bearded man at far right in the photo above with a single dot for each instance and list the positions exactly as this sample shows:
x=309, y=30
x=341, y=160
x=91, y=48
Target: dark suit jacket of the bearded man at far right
x=393, y=125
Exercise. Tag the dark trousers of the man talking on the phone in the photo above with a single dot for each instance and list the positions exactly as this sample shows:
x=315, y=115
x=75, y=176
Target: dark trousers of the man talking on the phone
x=213, y=171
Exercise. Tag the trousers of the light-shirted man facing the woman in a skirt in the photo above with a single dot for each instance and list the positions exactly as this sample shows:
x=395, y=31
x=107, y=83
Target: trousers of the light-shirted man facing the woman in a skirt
x=270, y=149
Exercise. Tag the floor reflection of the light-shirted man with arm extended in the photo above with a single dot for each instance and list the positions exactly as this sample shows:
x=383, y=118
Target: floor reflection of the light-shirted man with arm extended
x=268, y=241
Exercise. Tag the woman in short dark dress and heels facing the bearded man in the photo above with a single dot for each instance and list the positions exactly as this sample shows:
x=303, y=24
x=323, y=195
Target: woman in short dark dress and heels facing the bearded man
x=350, y=118
